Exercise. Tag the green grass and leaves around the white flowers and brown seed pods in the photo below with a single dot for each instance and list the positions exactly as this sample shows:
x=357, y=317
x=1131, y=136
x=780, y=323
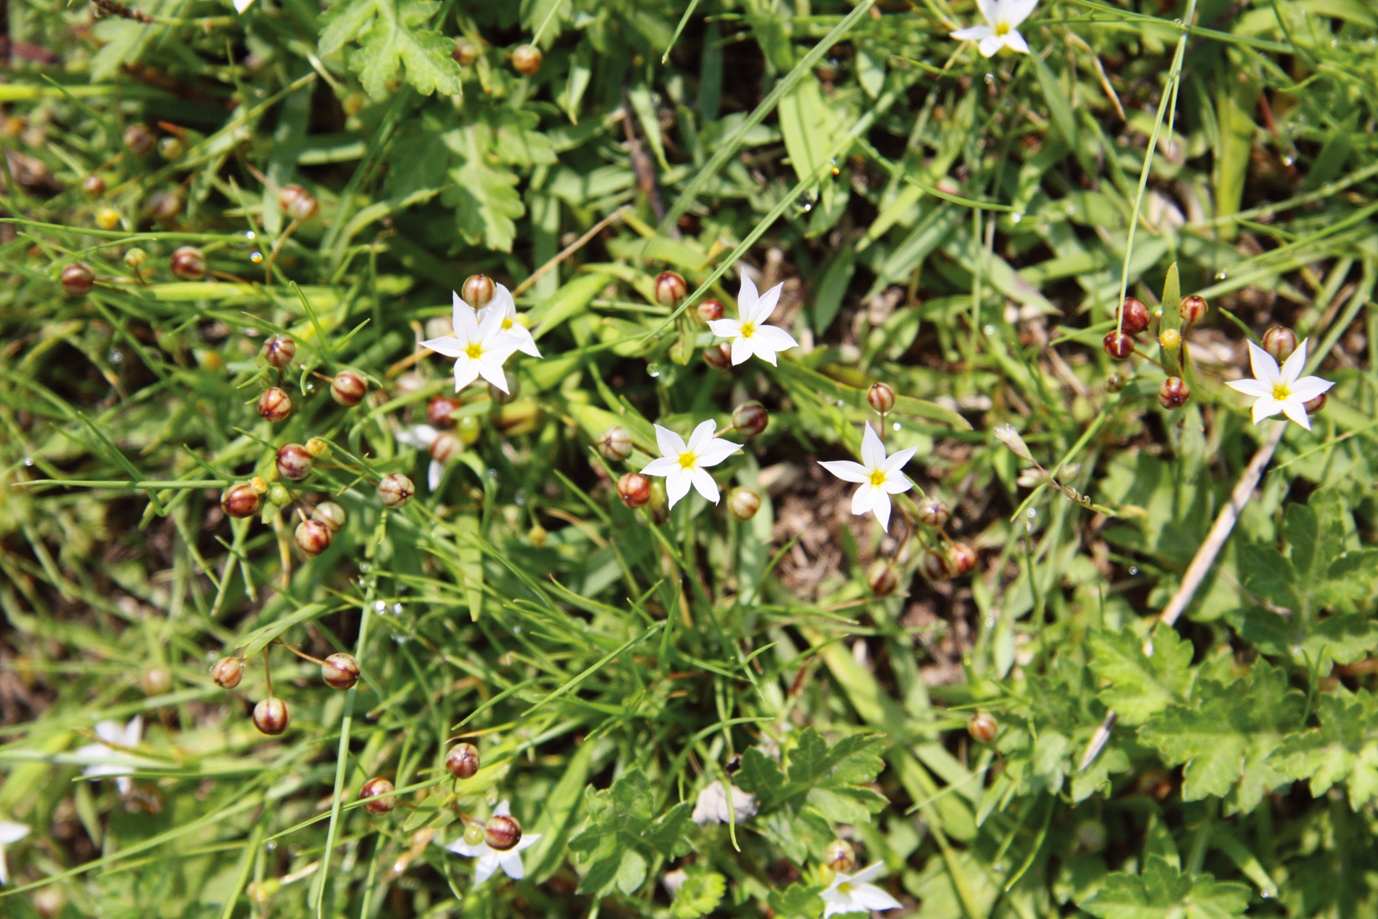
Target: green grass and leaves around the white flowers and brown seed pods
x=958, y=228
